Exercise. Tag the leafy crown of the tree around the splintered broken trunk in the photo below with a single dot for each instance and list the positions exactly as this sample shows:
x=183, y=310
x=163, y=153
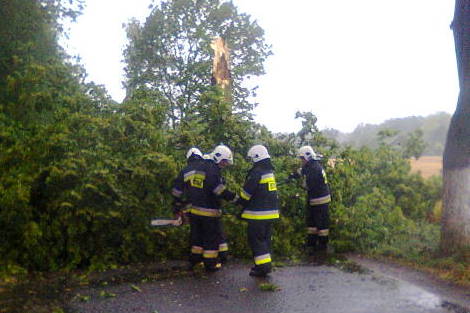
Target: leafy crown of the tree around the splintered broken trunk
x=171, y=53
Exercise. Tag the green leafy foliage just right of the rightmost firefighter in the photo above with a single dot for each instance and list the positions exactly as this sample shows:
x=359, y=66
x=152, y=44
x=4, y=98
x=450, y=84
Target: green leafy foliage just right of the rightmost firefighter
x=377, y=198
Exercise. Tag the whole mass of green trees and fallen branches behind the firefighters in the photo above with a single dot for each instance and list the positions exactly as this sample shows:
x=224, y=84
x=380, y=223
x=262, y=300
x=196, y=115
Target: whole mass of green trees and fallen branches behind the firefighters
x=82, y=175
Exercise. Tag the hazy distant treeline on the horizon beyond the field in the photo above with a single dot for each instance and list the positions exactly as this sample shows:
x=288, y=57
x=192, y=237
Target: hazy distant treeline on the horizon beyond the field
x=432, y=130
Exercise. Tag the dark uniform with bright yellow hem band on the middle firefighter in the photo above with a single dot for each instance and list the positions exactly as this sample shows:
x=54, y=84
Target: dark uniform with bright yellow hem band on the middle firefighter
x=261, y=206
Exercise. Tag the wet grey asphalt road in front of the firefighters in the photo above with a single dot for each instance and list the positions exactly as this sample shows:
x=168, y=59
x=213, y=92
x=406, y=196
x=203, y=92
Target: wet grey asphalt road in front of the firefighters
x=302, y=288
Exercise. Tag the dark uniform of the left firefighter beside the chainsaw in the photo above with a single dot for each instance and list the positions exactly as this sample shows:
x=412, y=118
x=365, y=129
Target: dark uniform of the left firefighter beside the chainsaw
x=202, y=185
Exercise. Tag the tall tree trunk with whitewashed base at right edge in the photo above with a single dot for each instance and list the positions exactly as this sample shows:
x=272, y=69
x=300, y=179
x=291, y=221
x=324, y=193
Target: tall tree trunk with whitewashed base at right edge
x=455, y=233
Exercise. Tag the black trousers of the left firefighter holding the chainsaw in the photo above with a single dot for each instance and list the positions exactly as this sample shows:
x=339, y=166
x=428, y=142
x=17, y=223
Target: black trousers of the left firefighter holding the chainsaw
x=205, y=236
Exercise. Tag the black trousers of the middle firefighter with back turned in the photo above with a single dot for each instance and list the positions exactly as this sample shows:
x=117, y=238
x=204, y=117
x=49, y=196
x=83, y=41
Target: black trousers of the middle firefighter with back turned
x=259, y=240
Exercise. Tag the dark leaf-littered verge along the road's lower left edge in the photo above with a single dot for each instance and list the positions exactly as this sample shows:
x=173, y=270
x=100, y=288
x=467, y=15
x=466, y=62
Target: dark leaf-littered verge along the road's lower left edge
x=41, y=292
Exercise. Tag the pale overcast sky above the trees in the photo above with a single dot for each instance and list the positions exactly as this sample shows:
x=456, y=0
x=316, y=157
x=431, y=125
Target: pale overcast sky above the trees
x=347, y=61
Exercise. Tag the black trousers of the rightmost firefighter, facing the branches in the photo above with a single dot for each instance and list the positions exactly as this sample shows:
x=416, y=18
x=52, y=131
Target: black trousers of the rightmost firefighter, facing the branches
x=318, y=223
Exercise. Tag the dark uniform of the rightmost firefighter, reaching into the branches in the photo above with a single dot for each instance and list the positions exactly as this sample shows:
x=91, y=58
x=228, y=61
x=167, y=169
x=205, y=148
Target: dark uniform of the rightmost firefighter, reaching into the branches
x=317, y=207
